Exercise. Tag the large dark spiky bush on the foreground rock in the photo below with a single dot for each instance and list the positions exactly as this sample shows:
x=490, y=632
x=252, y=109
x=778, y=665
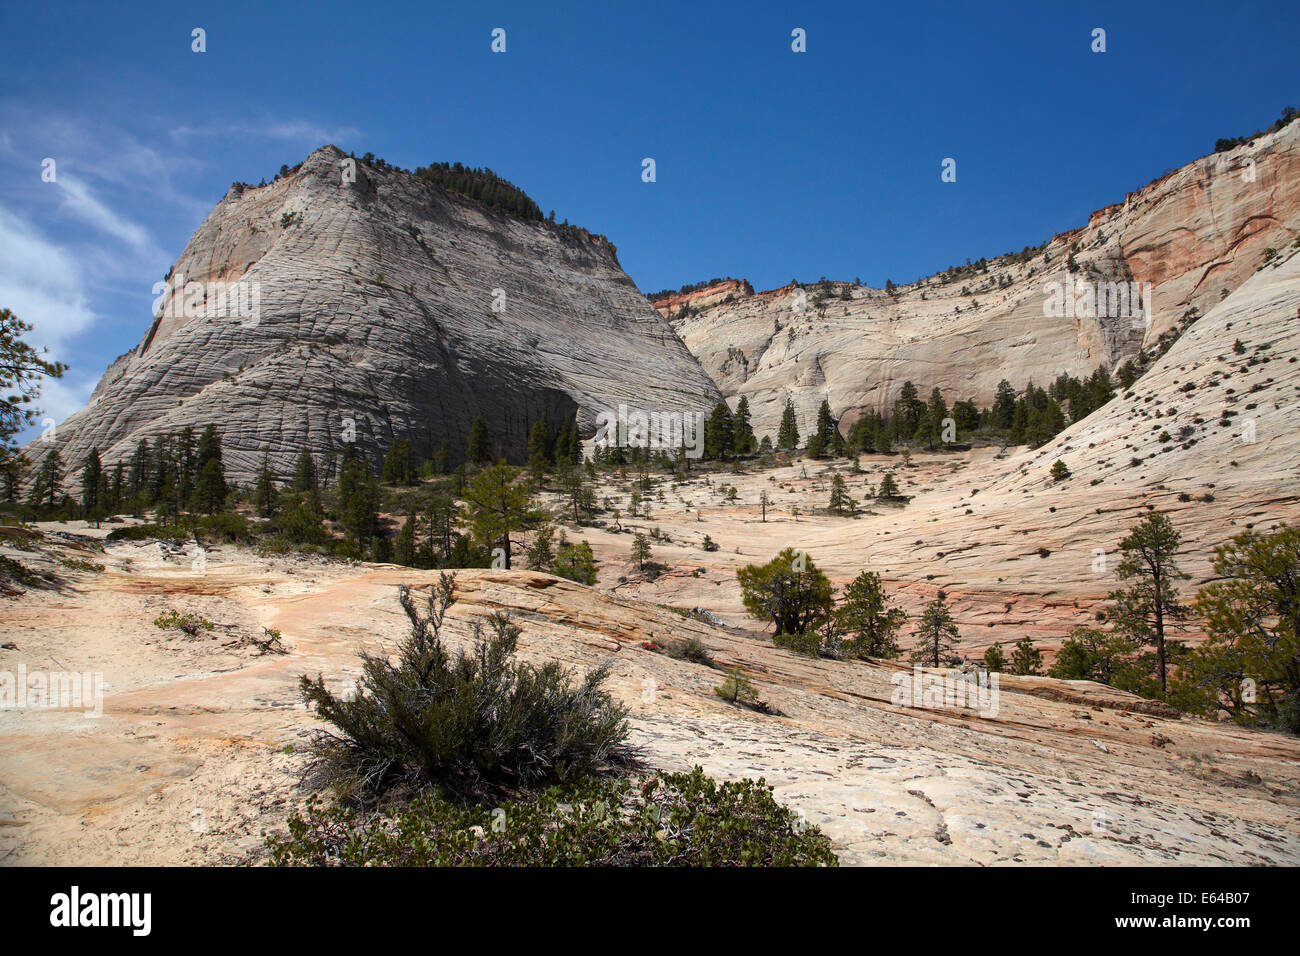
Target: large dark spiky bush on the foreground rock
x=475, y=725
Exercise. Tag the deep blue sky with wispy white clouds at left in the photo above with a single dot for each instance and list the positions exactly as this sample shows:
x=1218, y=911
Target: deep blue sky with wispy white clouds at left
x=772, y=165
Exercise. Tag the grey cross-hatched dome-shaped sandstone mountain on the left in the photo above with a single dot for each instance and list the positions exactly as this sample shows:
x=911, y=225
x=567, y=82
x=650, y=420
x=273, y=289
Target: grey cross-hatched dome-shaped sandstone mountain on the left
x=375, y=314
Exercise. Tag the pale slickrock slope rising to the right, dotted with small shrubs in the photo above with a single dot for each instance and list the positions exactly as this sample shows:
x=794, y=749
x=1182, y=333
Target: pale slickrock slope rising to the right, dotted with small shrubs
x=977, y=522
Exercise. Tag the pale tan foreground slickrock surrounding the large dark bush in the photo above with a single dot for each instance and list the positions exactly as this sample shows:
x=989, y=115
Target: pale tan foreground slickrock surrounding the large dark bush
x=189, y=763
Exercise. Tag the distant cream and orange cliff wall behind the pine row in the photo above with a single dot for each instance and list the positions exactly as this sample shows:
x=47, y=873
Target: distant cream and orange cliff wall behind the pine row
x=1191, y=235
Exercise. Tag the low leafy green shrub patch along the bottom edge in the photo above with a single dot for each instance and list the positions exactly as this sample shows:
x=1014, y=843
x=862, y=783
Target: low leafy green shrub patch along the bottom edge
x=666, y=820
